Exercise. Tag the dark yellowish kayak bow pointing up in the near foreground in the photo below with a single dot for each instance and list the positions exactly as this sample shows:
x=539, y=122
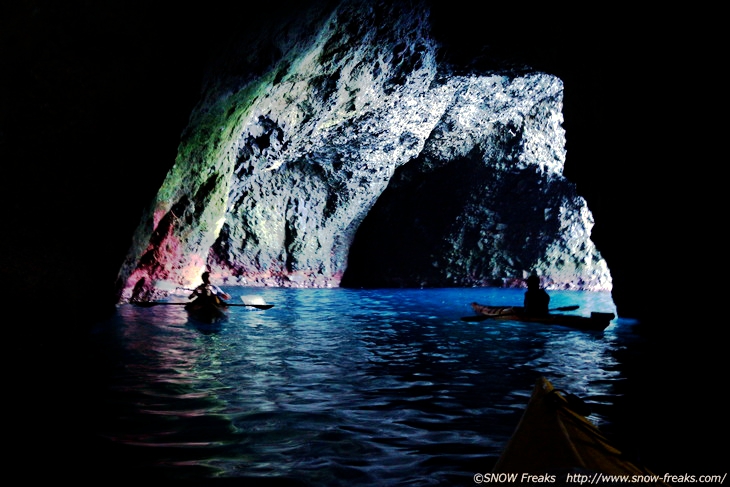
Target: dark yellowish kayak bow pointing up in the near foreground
x=555, y=439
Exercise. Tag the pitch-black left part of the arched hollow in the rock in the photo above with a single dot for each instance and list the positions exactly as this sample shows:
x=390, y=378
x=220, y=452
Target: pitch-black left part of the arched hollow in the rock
x=396, y=244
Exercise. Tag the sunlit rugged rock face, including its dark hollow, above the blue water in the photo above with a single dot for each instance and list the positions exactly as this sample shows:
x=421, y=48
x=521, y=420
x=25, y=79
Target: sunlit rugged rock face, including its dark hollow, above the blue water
x=339, y=139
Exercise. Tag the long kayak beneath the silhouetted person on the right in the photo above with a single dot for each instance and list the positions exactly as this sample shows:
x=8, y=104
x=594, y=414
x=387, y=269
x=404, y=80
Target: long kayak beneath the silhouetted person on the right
x=596, y=321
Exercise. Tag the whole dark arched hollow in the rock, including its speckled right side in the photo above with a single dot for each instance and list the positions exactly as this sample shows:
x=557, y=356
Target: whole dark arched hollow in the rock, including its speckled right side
x=456, y=224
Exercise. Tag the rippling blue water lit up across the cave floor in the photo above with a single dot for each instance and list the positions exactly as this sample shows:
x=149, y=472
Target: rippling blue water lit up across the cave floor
x=369, y=387
